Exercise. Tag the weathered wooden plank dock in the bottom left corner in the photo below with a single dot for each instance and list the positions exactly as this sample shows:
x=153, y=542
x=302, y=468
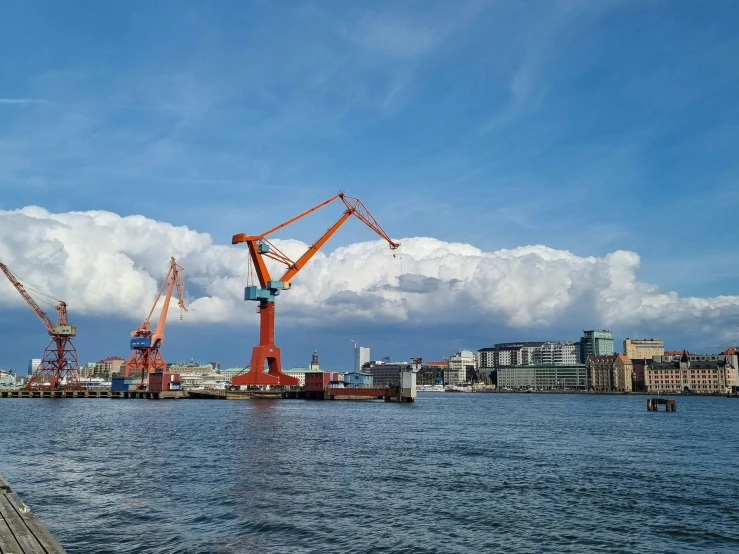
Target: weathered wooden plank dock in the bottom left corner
x=21, y=532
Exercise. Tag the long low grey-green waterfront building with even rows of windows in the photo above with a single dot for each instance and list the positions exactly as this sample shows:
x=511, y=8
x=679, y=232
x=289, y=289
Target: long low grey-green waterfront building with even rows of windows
x=543, y=377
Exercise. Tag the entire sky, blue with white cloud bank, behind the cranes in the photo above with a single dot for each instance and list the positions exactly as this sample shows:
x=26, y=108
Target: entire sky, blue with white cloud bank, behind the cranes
x=550, y=166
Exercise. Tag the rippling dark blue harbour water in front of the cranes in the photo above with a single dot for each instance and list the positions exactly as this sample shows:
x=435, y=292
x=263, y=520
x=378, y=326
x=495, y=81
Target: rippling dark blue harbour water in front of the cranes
x=454, y=473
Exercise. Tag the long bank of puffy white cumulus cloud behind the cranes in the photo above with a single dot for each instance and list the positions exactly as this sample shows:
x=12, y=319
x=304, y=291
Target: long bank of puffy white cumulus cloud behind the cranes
x=101, y=263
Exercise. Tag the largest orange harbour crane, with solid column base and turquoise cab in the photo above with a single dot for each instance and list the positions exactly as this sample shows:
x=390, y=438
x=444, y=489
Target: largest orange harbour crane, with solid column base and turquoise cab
x=259, y=249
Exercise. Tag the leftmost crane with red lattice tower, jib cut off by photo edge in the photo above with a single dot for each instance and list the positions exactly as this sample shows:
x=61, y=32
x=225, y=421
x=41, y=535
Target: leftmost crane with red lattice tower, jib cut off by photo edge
x=59, y=362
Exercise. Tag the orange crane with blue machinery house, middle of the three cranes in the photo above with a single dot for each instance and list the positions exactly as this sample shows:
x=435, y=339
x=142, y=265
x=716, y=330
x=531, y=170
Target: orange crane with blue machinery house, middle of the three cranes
x=145, y=342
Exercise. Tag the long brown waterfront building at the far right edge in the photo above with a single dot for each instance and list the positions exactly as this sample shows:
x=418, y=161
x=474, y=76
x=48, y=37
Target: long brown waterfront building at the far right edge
x=715, y=376
